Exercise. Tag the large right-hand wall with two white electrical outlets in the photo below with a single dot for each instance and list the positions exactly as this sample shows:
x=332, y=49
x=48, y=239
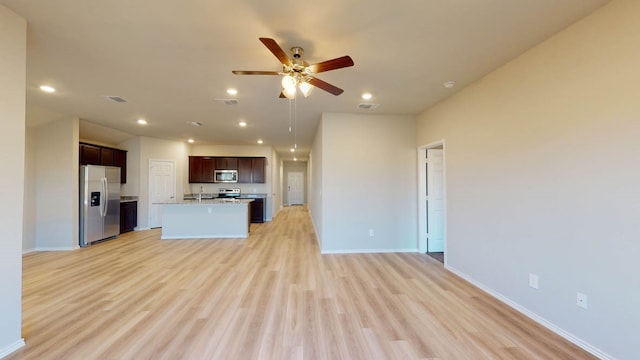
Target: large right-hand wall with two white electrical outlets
x=543, y=177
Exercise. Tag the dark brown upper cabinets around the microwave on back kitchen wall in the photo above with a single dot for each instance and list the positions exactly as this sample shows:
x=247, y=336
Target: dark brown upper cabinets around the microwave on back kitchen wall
x=250, y=169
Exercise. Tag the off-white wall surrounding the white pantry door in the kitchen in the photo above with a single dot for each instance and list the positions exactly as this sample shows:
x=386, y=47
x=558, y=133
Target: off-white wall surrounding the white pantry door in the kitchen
x=156, y=149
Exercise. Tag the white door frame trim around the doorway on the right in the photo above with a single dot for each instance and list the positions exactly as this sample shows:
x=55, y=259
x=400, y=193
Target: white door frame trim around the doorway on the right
x=422, y=208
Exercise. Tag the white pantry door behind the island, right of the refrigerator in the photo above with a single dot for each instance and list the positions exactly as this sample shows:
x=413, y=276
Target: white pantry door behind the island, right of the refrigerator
x=162, y=188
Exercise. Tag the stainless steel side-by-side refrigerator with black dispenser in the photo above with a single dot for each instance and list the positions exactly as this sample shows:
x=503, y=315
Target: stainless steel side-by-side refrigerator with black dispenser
x=99, y=203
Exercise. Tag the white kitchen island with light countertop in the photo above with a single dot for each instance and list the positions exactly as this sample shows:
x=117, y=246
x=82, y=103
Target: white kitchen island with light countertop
x=206, y=219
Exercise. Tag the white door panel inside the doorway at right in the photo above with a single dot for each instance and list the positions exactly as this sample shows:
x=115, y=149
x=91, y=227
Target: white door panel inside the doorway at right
x=435, y=200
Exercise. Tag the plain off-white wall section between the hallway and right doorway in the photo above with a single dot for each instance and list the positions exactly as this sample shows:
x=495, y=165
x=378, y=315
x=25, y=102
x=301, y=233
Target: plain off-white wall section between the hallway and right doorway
x=368, y=182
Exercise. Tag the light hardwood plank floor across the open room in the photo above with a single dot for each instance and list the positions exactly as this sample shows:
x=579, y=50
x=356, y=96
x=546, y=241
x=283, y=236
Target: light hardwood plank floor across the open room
x=272, y=296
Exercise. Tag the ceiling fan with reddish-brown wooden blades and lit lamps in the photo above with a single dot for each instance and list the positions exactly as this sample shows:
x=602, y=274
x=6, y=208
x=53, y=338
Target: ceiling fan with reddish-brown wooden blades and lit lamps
x=298, y=73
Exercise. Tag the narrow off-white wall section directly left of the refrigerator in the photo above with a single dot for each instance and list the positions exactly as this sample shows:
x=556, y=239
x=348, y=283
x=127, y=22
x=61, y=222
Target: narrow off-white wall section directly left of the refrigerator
x=57, y=195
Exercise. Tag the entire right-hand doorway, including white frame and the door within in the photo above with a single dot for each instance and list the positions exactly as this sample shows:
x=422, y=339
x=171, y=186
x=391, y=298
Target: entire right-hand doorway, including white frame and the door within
x=432, y=200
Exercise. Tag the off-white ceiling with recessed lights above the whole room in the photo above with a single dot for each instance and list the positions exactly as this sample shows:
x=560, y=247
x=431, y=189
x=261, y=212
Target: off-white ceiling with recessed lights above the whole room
x=172, y=59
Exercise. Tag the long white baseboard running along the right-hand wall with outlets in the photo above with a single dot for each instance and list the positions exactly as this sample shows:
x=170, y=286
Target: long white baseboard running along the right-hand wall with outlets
x=533, y=316
